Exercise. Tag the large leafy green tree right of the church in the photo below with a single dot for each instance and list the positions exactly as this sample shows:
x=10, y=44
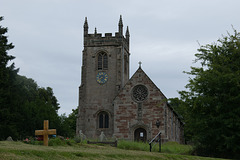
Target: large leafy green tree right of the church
x=213, y=99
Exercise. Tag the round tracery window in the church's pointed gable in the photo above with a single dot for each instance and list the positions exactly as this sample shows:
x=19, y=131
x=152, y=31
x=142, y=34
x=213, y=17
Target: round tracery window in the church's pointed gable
x=139, y=93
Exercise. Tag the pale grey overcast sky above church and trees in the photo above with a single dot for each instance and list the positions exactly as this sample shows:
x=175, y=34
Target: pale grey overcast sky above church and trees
x=164, y=36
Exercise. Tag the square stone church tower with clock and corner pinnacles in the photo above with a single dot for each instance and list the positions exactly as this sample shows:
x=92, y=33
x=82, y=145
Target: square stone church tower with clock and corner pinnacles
x=105, y=70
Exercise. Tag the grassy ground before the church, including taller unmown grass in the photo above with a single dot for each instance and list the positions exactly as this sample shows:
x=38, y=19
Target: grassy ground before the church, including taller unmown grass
x=69, y=149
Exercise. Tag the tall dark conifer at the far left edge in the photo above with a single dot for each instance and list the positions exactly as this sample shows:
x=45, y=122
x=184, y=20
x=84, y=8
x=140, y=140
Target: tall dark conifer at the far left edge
x=8, y=75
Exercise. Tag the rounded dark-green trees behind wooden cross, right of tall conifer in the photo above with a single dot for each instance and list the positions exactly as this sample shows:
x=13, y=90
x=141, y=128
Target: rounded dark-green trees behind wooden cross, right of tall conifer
x=34, y=105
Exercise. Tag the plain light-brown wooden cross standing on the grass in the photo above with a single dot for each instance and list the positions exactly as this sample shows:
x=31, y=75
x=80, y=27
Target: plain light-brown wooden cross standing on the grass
x=45, y=132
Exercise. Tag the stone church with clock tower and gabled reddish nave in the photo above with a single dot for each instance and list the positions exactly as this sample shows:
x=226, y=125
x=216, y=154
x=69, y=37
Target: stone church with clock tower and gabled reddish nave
x=111, y=102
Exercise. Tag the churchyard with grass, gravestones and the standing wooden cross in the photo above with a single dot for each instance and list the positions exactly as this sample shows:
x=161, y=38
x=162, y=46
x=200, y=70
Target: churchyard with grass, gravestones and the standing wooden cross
x=80, y=147
